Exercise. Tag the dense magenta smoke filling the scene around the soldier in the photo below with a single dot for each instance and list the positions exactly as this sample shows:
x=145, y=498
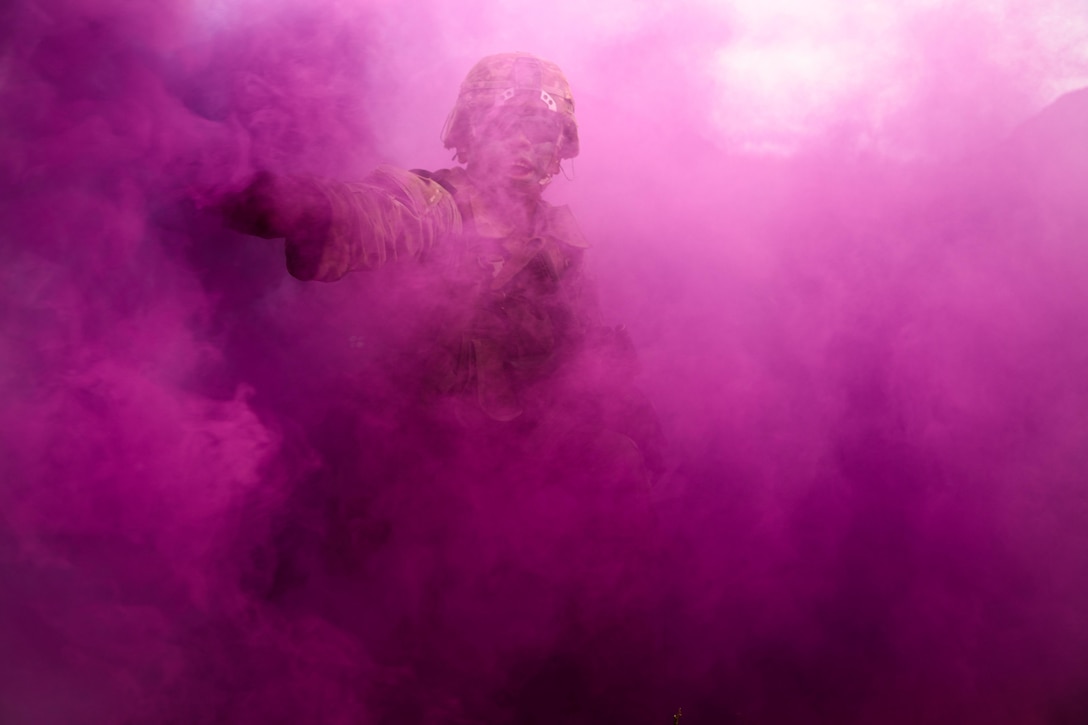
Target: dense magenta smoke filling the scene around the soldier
x=848, y=242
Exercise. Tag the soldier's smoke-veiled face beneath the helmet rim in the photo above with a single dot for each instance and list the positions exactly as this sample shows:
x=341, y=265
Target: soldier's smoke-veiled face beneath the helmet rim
x=517, y=146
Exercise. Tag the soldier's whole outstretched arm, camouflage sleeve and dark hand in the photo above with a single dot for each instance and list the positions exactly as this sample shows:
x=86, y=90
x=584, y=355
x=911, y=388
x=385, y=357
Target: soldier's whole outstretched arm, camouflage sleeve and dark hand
x=335, y=228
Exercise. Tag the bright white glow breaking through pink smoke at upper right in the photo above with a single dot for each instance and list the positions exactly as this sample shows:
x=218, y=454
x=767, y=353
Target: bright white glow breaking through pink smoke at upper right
x=796, y=72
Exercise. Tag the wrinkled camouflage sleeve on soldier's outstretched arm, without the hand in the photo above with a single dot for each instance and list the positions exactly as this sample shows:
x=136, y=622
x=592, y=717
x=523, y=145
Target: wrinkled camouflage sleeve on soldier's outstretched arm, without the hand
x=391, y=216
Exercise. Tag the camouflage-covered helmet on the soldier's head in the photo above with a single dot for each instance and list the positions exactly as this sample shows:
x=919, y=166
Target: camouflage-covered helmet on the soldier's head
x=513, y=79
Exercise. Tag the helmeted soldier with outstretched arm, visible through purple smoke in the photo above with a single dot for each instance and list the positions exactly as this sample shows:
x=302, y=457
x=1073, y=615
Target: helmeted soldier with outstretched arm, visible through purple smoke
x=518, y=333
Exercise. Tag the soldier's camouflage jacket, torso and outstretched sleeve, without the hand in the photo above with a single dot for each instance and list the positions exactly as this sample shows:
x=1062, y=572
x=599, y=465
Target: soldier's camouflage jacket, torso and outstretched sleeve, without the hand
x=517, y=303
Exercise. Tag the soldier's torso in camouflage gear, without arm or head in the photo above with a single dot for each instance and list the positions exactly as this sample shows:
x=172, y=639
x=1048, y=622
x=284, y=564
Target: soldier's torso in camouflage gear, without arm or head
x=526, y=309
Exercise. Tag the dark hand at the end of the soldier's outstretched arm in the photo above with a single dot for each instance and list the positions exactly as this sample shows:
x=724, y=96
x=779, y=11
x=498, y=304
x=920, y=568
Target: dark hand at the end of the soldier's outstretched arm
x=275, y=206
